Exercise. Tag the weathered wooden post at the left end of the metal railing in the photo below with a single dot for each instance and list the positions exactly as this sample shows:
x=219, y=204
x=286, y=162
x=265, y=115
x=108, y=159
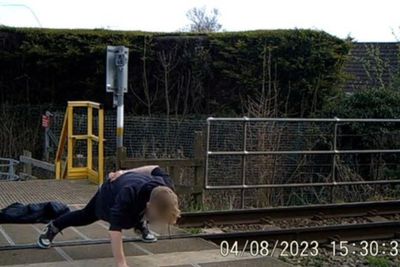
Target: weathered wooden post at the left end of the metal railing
x=199, y=154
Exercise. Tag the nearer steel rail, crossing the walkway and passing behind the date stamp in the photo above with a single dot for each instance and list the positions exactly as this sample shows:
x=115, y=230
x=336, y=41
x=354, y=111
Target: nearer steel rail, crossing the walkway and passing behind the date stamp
x=321, y=234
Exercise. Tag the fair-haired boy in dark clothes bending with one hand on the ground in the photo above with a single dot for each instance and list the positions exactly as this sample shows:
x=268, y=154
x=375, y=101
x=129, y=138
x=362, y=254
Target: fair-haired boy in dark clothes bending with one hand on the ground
x=128, y=199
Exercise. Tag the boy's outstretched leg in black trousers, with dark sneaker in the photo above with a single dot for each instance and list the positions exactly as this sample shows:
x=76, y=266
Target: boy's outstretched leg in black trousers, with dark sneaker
x=85, y=216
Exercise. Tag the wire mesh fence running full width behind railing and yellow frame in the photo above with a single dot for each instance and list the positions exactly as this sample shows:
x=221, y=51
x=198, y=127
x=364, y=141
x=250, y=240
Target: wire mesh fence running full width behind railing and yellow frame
x=173, y=137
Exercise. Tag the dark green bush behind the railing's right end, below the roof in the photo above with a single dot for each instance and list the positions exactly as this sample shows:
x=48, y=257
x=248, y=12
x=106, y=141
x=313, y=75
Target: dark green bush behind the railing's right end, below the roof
x=371, y=103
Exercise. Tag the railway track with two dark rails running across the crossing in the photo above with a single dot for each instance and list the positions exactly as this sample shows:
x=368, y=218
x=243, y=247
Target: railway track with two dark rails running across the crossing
x=376, y=230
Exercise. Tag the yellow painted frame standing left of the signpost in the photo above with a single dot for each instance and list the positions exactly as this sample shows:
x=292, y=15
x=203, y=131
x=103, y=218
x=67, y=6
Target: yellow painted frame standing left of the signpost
x=67, y=135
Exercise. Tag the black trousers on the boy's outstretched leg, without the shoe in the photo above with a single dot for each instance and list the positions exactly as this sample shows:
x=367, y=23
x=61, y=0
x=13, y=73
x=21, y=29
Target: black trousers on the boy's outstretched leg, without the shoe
x=85, y=216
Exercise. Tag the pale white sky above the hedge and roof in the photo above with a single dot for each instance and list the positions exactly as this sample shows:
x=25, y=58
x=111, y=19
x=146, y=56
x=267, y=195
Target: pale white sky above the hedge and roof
x=363, y=20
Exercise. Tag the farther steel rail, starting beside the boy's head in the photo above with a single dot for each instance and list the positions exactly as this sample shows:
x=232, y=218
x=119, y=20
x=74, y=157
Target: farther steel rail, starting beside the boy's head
x=251, y=216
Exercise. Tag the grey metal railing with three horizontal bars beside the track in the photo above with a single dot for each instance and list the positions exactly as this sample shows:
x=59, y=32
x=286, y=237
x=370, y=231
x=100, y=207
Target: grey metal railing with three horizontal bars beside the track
x=334, y=151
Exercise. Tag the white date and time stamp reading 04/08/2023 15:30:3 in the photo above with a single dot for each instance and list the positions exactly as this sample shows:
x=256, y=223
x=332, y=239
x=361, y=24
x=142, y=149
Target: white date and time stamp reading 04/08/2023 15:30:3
x=311, y=248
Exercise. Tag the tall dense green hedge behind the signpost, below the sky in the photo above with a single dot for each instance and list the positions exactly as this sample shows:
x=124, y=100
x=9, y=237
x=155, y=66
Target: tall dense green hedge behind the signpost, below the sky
x=195, y=73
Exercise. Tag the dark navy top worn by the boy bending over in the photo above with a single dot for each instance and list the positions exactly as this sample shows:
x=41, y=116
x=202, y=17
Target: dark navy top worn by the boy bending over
x=123, y=201
